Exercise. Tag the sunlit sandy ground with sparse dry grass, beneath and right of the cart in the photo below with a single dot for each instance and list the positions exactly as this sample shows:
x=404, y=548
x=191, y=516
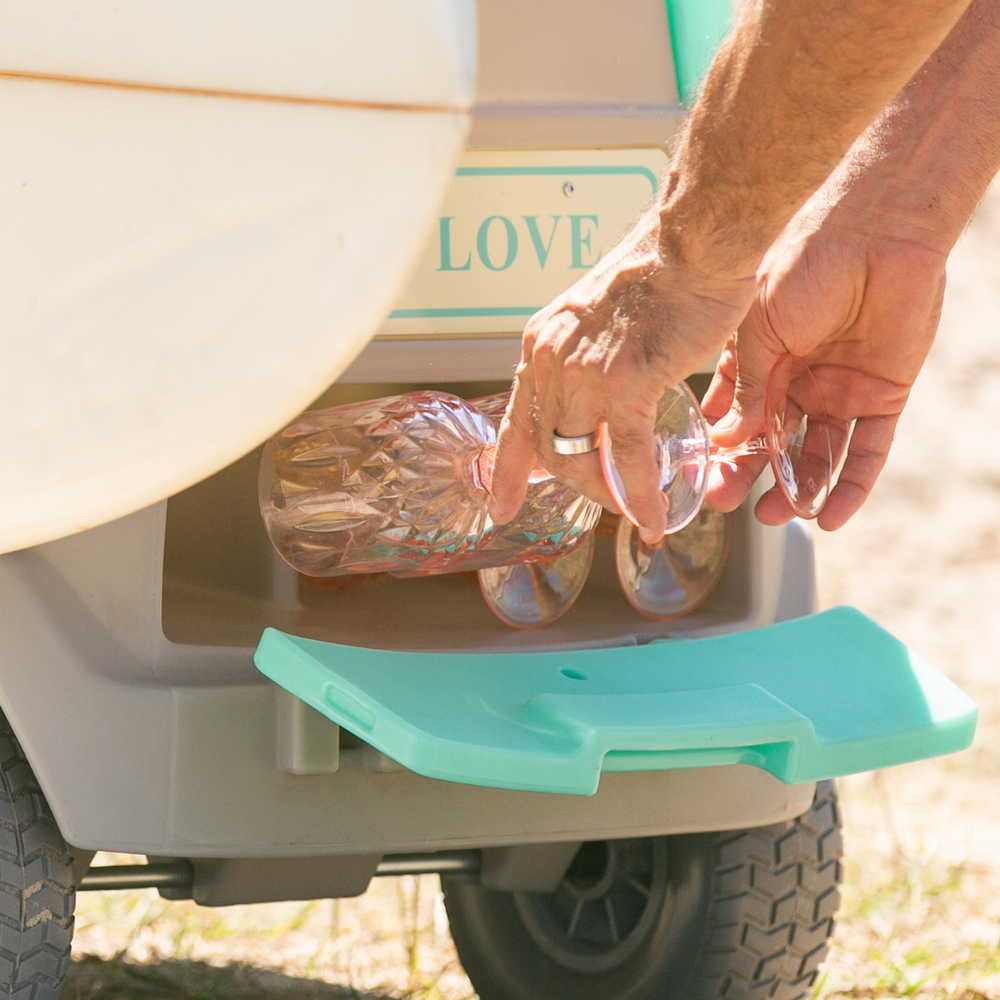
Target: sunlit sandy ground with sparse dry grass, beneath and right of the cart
x=921, y=914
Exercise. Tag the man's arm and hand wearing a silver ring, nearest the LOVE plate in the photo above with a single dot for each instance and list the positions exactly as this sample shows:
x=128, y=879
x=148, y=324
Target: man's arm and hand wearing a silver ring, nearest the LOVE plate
x=791, y=88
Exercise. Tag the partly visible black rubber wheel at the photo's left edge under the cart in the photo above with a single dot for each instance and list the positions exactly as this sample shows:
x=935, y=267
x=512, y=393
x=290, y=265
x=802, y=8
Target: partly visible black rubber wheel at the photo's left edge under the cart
x=37, y=893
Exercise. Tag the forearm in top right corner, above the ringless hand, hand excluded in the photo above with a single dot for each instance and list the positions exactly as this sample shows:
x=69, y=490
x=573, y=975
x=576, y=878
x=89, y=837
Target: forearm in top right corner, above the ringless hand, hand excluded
x=918, y=172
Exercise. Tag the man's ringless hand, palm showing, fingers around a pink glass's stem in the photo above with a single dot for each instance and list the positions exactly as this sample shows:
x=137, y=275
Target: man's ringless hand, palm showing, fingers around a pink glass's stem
x=862, y=311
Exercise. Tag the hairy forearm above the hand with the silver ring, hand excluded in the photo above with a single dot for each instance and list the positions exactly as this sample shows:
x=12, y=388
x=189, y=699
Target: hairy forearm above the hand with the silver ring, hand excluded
x=792, y=88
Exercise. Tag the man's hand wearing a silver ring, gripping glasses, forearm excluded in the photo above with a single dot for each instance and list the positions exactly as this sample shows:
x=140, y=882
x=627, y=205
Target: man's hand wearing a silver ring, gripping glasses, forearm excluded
x=605, y=352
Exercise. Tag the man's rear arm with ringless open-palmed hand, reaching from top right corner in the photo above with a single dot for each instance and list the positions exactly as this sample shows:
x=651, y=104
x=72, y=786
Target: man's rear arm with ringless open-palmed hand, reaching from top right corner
x=855, y=283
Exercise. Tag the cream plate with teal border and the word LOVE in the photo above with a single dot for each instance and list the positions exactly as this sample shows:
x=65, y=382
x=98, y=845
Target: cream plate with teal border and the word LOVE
x=515, y=230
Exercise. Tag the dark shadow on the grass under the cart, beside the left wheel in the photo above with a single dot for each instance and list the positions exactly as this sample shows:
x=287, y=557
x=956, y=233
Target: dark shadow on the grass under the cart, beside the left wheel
x=92, y=978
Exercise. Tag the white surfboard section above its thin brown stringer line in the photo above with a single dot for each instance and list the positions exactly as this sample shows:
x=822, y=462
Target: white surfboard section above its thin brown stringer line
x=395, y=51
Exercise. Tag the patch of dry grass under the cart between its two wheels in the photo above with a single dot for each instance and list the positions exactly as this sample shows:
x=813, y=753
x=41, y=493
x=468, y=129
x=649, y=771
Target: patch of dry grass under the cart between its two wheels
x=391, y=942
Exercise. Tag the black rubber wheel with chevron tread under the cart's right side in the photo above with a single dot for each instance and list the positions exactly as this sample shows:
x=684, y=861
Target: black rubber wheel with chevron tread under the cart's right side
x=735, y=915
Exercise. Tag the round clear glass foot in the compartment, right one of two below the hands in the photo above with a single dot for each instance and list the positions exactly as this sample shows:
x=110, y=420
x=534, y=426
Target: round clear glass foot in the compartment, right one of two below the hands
x=673, y=577
